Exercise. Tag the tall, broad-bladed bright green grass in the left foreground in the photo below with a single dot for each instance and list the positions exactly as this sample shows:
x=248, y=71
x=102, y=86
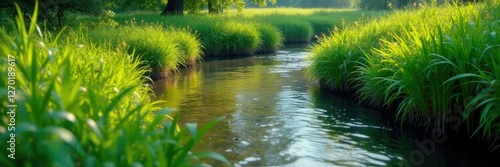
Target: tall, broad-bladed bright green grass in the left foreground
x=72, y=102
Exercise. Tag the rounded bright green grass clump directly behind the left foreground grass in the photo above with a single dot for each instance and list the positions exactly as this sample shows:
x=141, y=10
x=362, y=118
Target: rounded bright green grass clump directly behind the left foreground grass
x=162, y=50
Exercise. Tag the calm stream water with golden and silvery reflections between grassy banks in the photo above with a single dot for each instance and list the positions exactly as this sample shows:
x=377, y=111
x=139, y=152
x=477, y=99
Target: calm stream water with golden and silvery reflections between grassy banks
x=276, y=118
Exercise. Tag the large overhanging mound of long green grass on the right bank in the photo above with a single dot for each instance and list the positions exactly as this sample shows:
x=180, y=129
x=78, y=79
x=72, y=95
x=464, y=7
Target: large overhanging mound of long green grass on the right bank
x=435, y=64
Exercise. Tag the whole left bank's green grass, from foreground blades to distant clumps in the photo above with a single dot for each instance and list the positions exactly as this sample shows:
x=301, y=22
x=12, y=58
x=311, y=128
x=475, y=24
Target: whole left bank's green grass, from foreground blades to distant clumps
x=79, y=90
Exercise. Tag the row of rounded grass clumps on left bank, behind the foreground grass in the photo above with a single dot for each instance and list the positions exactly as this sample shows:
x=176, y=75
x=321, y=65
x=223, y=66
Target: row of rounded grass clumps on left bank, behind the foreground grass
x=167, y=43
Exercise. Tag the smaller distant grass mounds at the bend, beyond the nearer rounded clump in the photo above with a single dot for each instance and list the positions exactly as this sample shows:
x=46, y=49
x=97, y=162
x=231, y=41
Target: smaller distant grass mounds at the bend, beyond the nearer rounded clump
x=254, y=30
